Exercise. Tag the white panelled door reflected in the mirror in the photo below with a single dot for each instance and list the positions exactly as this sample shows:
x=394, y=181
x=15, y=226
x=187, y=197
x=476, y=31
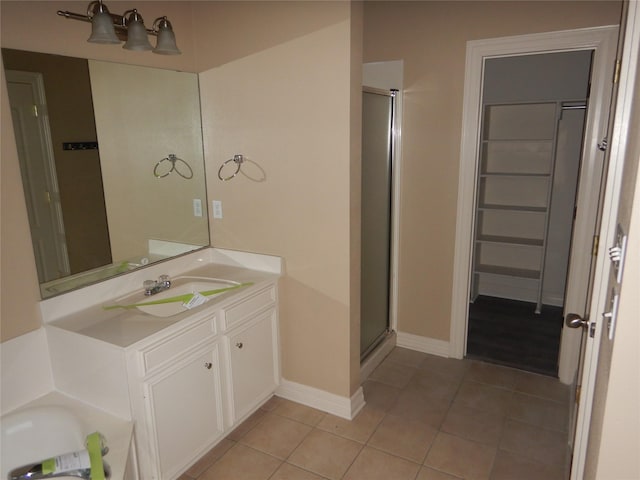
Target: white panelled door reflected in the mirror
x=37, y=166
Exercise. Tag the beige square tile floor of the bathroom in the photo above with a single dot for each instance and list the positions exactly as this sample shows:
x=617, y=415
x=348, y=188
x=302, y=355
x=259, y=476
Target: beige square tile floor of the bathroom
x=426, y=418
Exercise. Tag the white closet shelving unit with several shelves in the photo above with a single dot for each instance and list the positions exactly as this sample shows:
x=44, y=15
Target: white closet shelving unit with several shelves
x=515, y=180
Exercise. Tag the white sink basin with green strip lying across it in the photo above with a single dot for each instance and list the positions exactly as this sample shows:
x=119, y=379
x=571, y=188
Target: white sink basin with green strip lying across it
x=175, y=300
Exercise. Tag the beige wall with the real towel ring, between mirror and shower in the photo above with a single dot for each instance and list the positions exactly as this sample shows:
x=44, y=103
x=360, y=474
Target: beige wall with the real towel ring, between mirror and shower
x=286, y=106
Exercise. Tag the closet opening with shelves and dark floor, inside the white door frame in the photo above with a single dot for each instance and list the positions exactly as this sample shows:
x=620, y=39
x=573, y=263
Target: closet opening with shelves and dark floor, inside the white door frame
x=533, y=115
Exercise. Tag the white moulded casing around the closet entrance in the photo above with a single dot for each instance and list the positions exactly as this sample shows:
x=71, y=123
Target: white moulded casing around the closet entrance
x=602, y=41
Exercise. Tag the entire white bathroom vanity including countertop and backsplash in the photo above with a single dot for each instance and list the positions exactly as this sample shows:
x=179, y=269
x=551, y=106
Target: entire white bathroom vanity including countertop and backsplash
x=185, y=380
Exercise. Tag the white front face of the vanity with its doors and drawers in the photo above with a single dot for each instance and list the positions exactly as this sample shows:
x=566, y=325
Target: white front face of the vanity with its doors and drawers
x=194, y=383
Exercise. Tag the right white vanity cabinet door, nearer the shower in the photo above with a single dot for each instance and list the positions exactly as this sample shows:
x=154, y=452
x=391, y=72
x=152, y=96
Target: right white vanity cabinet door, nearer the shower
x=254, y=363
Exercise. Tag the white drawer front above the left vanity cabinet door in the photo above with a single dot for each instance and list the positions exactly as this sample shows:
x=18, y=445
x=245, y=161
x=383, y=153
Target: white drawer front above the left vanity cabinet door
x=164, y=350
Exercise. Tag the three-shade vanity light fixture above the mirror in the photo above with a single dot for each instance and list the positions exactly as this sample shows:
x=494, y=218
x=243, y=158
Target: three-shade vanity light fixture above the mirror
x=110, y=28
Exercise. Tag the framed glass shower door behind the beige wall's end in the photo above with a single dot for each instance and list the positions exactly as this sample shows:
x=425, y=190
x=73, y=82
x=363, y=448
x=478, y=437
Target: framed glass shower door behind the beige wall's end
x=377, y=118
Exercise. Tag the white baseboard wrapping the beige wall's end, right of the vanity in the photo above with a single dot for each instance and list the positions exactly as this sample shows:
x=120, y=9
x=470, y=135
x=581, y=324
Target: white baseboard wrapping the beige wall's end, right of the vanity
x=342, y=407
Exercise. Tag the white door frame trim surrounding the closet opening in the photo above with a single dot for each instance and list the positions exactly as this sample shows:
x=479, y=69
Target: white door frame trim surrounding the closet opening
x=603, y=40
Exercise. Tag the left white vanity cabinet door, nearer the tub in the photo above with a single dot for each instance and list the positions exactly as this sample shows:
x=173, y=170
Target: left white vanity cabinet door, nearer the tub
x=185, y=410
